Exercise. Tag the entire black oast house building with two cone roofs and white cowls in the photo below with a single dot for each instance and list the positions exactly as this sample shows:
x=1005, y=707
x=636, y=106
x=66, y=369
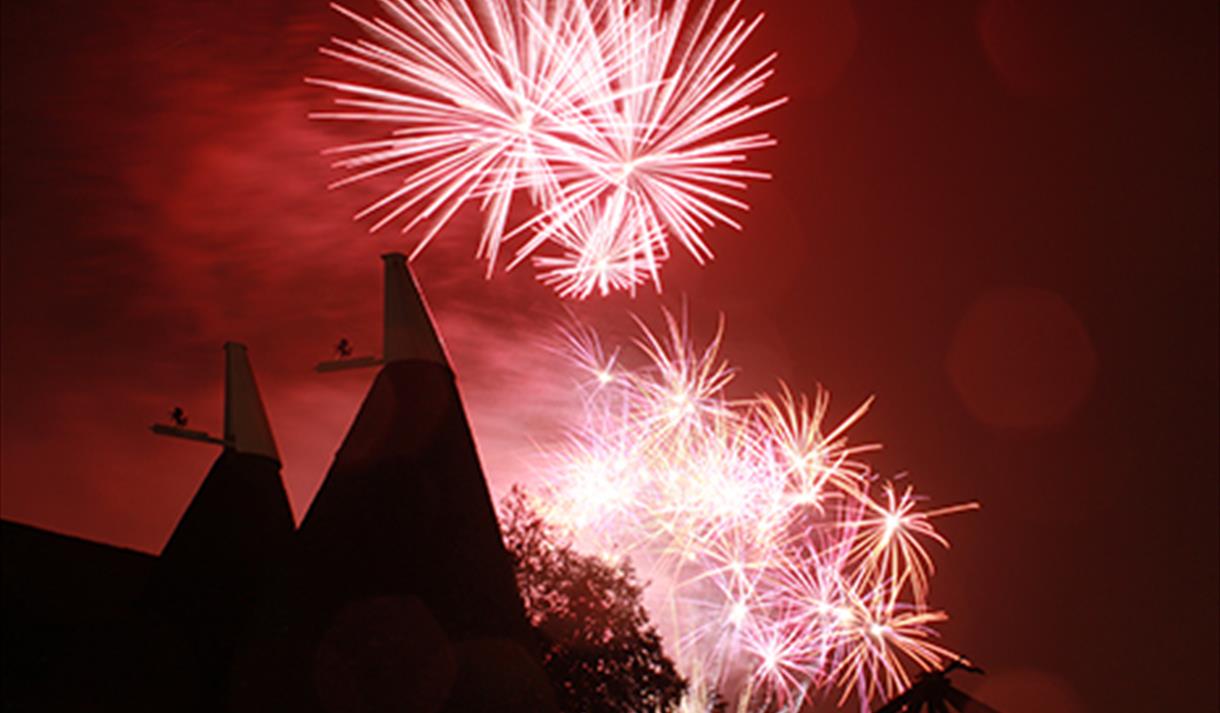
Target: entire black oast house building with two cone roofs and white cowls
x=393, y=595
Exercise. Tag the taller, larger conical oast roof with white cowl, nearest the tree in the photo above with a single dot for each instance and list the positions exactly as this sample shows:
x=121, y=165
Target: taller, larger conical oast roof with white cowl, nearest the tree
x=403, y=596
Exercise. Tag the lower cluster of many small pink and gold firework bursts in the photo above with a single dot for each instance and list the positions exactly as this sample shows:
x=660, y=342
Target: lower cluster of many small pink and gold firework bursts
x=786, y=567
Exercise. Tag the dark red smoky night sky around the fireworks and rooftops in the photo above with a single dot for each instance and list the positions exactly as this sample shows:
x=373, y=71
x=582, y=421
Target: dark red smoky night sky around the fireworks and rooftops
x=1000, y=218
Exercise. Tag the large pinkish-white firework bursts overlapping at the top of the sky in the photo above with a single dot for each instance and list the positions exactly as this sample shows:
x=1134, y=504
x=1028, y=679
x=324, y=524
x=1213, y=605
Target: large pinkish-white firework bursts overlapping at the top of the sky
x=615, y=119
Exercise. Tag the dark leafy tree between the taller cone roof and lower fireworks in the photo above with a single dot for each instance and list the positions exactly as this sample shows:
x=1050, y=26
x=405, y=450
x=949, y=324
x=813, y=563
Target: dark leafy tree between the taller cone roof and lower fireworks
x=600, y=649
